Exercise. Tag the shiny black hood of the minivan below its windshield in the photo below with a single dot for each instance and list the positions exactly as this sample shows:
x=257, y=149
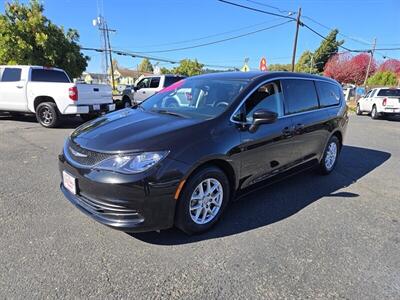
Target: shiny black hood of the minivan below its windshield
x=132, y=130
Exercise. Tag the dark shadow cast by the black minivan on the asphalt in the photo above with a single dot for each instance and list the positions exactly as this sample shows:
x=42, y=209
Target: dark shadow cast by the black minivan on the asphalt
x=281, y=200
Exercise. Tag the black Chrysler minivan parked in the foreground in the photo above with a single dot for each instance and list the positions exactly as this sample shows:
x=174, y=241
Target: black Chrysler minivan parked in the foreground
x=179, y=157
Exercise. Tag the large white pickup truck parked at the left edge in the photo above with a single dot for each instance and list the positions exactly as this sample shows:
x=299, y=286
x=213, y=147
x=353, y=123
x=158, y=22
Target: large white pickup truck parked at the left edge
x=50, y=94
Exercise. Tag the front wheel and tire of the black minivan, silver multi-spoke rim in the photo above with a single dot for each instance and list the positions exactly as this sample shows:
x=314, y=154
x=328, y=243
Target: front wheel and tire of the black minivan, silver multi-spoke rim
x=202, y=200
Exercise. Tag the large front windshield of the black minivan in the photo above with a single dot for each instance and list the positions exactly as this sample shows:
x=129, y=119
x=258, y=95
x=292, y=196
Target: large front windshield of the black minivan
x=195, y=97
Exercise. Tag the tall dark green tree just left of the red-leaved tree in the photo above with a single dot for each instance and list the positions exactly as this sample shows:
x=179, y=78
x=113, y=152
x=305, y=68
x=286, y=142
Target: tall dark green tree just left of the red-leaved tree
x=328, y=48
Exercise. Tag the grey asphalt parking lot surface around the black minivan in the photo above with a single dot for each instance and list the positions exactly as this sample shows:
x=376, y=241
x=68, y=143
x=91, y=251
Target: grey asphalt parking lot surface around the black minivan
x=315, y=237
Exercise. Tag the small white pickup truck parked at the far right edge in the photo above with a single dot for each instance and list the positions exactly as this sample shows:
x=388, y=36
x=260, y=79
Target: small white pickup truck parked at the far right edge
x=380, y=102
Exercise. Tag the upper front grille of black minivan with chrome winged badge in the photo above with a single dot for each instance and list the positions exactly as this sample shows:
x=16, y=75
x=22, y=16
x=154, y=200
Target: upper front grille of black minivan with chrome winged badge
x=82, y=156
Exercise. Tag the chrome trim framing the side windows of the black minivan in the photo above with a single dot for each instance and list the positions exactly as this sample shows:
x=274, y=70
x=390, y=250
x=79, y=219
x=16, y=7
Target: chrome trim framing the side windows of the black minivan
x=289, y=115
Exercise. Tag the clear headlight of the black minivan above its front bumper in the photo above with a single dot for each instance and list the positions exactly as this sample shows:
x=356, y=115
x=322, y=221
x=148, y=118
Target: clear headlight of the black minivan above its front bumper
x=131, y=163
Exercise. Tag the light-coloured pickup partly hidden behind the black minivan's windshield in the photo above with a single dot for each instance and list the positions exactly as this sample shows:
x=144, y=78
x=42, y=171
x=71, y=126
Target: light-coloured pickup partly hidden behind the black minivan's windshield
x=149, y=85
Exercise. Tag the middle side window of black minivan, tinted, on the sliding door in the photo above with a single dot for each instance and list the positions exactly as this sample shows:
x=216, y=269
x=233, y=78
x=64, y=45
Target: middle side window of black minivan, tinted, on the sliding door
x=300, y=95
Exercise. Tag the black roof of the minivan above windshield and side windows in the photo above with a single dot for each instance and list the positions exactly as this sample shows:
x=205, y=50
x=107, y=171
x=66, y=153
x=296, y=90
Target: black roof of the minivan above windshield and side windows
x=252, y=75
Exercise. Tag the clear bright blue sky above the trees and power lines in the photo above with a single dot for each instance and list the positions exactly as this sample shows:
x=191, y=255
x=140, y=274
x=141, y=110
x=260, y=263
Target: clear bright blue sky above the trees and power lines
x=141, y=24
